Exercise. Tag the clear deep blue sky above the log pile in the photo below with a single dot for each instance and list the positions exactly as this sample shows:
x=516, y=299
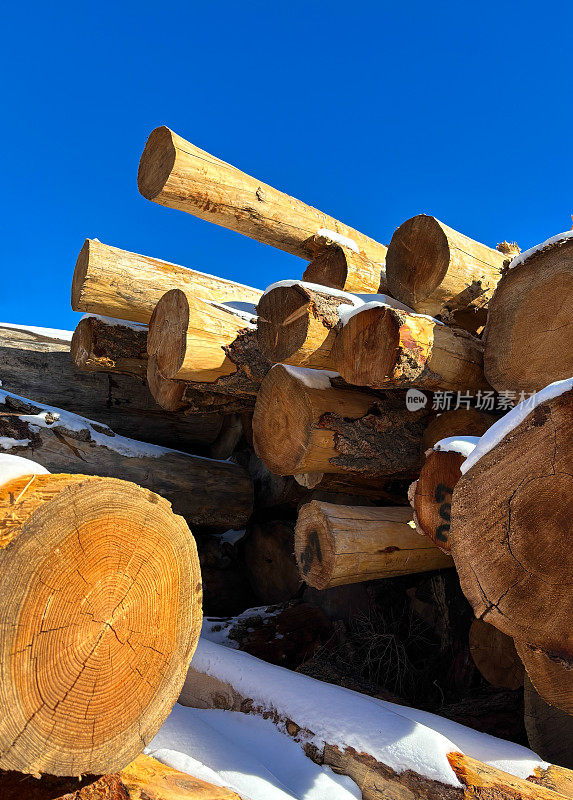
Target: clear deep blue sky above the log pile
x=370, y=111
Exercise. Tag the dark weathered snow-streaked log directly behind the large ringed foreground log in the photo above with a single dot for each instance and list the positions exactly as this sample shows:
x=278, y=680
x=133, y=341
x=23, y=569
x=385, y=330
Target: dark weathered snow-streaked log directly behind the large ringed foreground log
x=204, y=491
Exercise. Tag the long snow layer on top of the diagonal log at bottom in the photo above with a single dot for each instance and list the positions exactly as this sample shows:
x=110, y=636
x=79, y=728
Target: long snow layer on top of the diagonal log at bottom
x=402, y=738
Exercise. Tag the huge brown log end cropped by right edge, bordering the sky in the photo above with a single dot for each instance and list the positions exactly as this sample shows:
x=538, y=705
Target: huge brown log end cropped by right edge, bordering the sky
x=529, y=332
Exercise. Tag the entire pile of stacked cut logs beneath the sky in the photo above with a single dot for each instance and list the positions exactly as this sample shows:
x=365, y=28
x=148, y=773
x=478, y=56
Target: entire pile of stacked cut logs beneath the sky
x=348, y=444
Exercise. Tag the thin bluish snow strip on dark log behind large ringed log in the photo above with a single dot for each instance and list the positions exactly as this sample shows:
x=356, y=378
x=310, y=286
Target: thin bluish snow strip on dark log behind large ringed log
x=54, y=418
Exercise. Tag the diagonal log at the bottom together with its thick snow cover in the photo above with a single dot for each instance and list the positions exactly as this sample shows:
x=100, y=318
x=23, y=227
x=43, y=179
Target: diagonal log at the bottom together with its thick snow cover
x=388, y=749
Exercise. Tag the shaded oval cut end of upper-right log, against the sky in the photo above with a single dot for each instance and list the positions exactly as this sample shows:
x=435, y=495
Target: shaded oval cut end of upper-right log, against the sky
x=417, y=260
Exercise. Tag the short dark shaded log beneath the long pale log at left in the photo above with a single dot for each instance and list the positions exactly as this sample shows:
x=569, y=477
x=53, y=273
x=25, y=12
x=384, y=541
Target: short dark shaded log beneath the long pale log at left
x=102, y=344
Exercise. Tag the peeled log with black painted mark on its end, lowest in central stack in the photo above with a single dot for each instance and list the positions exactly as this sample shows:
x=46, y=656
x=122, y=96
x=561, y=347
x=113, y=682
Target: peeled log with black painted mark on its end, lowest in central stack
x=337, y=544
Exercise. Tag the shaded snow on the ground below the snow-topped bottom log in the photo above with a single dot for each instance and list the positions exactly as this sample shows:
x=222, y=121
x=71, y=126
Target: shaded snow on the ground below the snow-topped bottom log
x=246, y=754
